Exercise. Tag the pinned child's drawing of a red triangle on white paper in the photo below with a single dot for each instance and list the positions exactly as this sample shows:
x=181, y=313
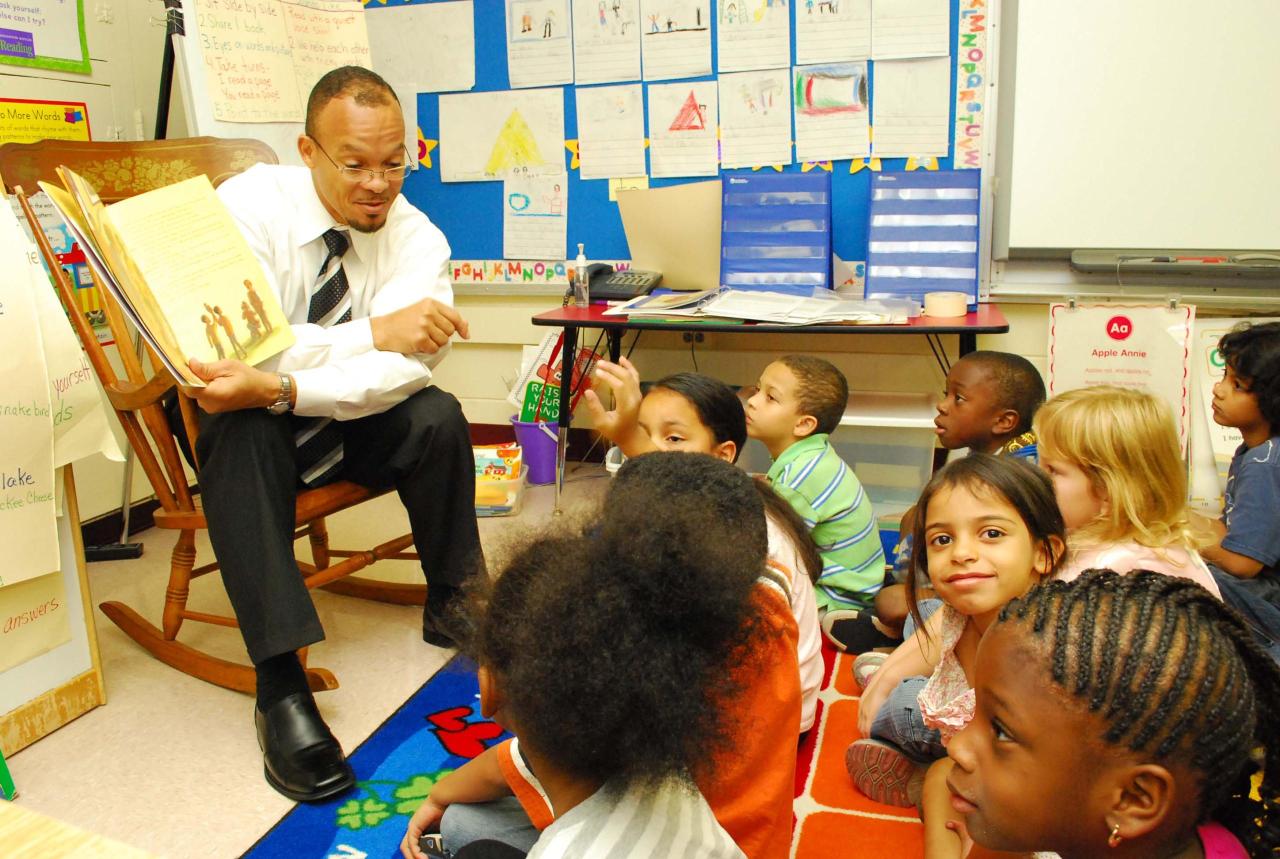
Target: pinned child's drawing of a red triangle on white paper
x=683, y=120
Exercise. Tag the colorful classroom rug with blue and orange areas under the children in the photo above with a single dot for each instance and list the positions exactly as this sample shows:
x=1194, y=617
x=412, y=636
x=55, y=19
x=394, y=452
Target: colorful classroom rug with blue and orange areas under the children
x=440, y=729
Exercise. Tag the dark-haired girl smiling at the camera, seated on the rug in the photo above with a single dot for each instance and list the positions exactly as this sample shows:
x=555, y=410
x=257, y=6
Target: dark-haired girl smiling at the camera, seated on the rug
x=988, y=529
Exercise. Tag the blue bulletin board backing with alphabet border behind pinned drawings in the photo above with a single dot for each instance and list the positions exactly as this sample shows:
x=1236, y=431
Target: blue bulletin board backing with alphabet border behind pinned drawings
x=470, y=213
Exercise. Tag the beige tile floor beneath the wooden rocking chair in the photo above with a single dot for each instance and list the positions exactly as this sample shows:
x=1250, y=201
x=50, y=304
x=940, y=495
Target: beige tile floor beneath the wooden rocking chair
x=171, y=765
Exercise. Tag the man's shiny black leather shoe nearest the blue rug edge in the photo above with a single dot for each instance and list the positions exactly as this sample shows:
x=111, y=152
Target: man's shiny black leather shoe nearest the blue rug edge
x=300, y=755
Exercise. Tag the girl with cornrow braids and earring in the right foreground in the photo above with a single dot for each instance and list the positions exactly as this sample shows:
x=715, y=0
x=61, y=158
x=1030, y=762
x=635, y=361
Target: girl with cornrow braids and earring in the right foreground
x=1122, y=716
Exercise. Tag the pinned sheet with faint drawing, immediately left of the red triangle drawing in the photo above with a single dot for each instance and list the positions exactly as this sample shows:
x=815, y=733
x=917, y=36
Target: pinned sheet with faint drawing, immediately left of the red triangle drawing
x=611, y=132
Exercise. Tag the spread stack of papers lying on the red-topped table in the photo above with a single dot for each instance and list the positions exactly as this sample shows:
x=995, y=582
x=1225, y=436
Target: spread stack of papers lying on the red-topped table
x=779, y=309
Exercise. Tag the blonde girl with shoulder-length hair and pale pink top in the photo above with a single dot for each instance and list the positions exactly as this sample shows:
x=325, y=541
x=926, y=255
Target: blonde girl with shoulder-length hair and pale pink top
x=1118, y=474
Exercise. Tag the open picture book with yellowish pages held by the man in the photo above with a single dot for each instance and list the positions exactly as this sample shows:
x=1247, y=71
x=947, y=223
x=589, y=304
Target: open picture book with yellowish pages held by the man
x=180, y=269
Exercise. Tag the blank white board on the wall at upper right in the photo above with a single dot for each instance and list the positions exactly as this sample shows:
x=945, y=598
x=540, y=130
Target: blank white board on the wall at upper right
x=1139, y=125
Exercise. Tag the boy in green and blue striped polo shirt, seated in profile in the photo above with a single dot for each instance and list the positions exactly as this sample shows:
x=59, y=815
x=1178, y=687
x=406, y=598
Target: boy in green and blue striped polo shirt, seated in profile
x=799, y=403
